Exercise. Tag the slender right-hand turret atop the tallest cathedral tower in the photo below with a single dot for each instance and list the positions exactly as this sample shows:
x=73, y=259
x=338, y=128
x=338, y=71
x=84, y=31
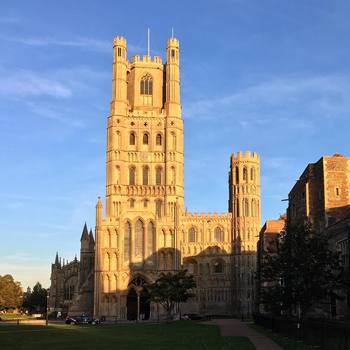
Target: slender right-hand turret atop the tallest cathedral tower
x=173, y=107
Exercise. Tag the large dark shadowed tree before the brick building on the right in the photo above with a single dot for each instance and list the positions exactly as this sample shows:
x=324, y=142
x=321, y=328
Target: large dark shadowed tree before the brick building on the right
x=301, y=272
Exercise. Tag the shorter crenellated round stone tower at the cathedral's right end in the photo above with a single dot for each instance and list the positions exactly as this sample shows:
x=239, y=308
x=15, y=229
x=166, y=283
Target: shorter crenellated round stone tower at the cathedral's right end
x=244, y=204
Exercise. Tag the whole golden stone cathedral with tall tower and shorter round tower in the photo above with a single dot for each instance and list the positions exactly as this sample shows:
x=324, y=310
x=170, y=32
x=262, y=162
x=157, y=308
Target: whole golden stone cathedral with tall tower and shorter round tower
x=142, y=228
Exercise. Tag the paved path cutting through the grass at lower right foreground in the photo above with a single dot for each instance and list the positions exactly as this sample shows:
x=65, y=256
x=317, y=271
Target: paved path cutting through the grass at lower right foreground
x=236, y=328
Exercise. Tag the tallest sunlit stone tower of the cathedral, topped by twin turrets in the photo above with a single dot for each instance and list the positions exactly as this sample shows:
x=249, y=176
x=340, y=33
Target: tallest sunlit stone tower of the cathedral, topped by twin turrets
x=145, y=175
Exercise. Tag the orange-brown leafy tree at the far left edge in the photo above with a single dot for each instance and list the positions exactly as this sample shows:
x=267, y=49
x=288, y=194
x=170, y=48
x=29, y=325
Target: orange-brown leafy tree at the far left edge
x=10, y=293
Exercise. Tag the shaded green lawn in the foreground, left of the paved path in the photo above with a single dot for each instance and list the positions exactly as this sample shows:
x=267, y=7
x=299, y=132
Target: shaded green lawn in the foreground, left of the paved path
x=176, y=335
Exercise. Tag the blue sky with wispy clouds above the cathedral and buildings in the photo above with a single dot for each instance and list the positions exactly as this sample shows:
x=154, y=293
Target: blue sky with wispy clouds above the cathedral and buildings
x=271, y=76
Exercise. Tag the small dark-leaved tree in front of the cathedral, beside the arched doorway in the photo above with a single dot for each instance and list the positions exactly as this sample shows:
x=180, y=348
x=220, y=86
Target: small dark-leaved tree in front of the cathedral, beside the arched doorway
x=170, y=289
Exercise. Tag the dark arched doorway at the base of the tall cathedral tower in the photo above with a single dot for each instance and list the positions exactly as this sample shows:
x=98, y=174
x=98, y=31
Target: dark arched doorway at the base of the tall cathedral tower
x=138, y=297
